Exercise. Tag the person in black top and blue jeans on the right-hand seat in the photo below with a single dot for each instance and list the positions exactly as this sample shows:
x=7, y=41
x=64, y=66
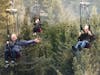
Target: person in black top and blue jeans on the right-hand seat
x=84, y=39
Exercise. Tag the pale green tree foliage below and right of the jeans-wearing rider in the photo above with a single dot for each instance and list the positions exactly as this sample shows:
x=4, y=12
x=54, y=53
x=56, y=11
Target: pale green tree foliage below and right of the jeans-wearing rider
x=88, y=61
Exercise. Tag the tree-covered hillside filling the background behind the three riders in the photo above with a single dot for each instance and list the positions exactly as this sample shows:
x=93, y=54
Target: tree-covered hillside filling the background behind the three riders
x=53, y=56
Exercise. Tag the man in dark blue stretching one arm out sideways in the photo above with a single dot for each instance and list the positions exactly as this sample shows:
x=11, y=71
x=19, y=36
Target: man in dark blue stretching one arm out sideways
x=13, y=47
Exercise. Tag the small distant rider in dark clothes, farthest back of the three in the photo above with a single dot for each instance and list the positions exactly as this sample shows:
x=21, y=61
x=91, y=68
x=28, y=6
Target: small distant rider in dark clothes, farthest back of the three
x=37, y=26
